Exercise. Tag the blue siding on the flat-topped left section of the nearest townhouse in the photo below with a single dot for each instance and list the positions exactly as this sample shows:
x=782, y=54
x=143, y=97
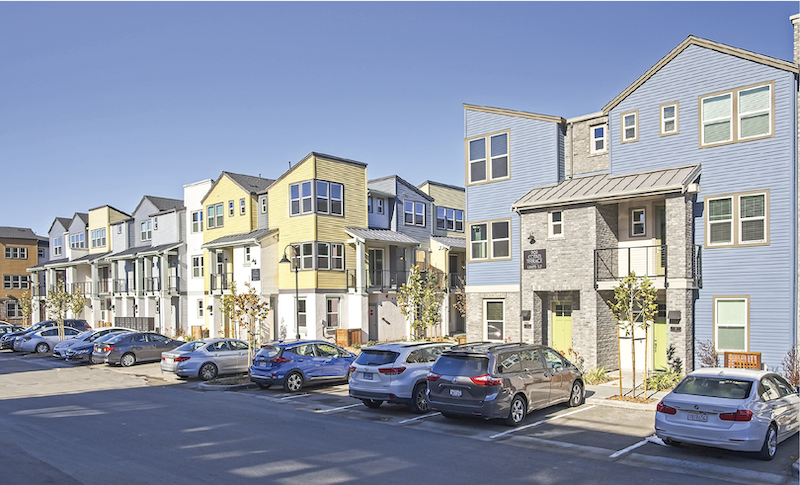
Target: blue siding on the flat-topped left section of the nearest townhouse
x=534, y=161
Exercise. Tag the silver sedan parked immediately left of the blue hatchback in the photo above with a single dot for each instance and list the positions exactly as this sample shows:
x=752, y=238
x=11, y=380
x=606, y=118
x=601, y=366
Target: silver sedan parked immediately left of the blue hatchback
x=207, y=358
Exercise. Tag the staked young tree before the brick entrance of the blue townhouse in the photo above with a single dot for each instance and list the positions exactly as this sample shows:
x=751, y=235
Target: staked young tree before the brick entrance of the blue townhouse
x=634, y=305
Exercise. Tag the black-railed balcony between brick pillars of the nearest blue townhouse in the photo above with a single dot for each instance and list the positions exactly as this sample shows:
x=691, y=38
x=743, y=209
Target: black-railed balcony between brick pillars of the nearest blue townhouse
x=612, y=264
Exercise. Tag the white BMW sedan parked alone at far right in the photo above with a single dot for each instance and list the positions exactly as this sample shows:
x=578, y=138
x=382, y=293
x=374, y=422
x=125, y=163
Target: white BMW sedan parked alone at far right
x=732, y=409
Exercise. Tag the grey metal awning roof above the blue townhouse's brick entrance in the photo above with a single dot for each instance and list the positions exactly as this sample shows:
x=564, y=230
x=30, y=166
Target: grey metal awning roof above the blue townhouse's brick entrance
x=603, y=187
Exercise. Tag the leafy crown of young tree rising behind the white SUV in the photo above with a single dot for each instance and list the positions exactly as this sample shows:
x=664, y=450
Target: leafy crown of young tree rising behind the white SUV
x=420, y=299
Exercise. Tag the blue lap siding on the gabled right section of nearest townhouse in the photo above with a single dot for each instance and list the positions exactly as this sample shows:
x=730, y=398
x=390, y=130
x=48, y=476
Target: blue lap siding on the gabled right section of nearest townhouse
x=765, y=273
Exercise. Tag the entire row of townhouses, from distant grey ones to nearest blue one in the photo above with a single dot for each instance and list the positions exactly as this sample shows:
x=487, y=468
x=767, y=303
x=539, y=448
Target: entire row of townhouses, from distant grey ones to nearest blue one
x=689, y=177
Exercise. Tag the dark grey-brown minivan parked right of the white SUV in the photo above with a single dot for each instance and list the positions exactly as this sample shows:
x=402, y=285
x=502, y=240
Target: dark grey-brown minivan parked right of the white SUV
x=504, y=381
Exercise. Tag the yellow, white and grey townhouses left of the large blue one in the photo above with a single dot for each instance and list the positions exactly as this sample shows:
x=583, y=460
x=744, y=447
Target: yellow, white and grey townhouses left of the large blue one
x=352, y=241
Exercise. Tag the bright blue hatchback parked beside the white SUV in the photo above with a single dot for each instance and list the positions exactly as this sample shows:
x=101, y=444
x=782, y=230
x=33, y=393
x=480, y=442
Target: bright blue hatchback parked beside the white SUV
x=295, y=363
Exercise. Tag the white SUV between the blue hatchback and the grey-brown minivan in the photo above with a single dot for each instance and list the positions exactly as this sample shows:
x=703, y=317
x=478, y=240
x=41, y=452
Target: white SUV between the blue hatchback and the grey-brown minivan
x=394, y=372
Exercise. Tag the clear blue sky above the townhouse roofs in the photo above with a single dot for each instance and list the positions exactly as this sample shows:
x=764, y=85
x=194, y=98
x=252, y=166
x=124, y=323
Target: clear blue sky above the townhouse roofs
x=102, y=103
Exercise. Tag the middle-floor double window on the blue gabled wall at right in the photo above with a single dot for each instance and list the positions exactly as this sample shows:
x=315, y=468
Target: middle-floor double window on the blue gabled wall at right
x=737, y=220
